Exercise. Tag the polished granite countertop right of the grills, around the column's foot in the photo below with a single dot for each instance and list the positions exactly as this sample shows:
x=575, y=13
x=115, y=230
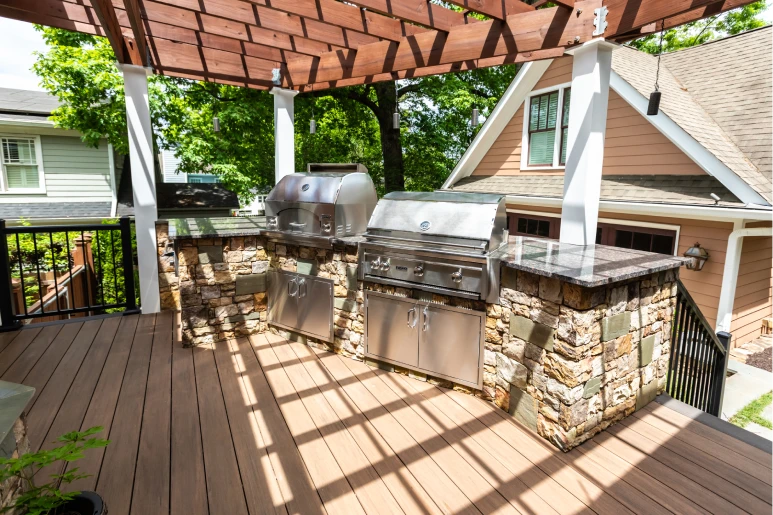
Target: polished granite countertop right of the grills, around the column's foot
x=589, y=266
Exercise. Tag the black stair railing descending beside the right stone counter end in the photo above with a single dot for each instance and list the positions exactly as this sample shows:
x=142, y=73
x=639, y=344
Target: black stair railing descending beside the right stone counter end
x=698, y=361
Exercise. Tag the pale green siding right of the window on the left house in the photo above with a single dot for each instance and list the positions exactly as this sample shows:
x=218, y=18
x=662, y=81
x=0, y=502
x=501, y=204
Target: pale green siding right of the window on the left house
x=74, y=172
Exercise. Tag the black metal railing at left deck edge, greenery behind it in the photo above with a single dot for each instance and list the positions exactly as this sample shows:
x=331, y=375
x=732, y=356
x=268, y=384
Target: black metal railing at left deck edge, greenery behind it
x=57, y=272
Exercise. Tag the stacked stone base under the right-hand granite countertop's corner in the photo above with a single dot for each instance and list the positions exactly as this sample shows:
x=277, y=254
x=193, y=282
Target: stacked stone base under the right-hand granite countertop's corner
x=569, y=361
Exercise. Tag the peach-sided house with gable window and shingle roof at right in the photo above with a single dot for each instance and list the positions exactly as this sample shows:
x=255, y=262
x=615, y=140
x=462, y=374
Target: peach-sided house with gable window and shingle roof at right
x=714, y=135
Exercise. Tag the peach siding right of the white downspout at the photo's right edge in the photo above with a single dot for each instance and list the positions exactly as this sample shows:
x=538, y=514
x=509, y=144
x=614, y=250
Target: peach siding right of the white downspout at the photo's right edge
x=754, y=289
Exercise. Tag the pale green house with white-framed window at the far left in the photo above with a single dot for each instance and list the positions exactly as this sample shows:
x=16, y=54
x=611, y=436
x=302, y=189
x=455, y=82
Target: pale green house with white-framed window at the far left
x=49, y=172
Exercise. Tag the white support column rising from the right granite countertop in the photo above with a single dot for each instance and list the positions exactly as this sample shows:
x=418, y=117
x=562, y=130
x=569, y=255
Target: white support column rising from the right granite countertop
x=585, y=143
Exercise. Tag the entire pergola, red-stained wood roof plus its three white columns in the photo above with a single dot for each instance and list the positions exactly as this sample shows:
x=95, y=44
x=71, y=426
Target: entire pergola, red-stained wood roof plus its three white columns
x=290, y=46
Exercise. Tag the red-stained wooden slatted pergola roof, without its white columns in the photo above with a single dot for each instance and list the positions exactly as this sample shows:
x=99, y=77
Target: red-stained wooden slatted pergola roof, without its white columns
x=300, y=44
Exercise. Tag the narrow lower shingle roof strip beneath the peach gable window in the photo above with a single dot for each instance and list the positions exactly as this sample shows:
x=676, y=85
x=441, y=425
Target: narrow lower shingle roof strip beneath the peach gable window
x=655, y=189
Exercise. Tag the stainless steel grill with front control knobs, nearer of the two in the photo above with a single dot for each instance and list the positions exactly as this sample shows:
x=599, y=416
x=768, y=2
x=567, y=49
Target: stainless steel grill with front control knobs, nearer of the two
x=443, y=242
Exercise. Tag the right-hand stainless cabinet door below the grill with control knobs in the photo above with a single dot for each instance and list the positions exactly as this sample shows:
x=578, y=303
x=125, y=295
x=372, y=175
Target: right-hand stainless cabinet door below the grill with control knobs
x=449, y=343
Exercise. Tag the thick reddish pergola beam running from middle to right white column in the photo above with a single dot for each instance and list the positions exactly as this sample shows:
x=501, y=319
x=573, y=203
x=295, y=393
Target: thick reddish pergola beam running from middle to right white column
x=526, y=32
